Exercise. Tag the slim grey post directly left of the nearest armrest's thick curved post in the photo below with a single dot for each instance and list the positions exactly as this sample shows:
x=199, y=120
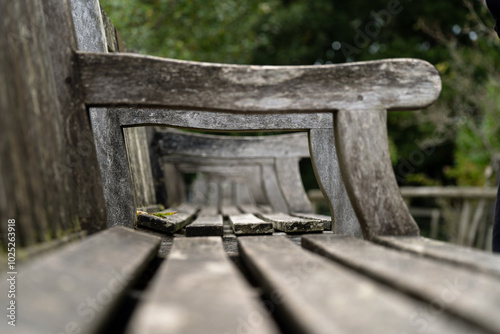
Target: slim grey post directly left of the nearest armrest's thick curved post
x=327, y=170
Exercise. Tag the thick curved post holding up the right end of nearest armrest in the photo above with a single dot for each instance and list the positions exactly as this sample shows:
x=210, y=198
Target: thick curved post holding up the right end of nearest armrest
x=364, y=159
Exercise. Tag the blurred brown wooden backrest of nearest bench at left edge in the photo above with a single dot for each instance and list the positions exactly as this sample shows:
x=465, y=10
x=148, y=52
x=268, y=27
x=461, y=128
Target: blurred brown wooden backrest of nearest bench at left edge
x=48, y=179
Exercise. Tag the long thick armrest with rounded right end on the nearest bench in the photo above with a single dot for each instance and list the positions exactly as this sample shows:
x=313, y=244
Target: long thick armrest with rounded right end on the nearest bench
x=132, y=79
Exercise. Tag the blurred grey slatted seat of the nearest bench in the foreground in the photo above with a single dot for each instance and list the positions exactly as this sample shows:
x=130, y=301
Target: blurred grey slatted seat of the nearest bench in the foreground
x=330, y=284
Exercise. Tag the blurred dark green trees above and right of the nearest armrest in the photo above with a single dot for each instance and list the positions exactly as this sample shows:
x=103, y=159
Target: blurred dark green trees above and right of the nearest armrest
x=452, y=142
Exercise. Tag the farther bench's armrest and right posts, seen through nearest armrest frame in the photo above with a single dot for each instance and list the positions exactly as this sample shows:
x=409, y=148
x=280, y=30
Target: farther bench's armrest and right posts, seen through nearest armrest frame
x=276, y=157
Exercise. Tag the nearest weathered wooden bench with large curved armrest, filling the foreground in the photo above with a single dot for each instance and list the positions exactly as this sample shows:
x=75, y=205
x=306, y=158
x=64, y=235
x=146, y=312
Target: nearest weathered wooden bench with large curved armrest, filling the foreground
x=118, y=280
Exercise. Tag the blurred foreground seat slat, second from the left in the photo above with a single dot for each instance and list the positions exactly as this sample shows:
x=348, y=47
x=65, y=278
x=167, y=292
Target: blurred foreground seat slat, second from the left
x=198, y=290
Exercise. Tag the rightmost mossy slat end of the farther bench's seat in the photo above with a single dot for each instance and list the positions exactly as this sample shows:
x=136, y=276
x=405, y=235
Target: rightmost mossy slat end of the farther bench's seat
x=289, y=224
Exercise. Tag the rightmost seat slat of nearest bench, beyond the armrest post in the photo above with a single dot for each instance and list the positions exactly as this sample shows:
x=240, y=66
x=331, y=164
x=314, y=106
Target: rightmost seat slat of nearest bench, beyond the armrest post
x=476, y=259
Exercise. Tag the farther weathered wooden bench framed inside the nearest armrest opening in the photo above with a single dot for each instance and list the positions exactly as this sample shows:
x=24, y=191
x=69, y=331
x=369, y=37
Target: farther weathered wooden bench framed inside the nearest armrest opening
x=269, y=165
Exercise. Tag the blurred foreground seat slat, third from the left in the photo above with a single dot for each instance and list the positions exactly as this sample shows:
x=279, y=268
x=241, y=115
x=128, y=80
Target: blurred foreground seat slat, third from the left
x=314, y=295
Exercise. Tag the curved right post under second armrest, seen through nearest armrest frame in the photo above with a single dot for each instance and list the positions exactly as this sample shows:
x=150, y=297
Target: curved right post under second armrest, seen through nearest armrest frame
x=290, y=182
